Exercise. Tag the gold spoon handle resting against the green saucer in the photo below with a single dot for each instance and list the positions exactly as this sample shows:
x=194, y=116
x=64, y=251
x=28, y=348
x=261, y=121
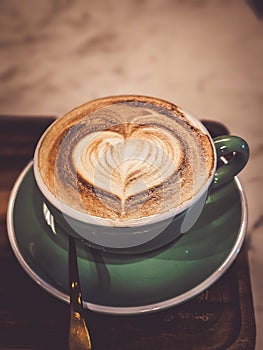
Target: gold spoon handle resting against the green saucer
x=79, y=337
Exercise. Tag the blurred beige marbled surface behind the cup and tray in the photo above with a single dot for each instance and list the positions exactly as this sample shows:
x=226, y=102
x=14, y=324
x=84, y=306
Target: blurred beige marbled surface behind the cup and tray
x=204, y=55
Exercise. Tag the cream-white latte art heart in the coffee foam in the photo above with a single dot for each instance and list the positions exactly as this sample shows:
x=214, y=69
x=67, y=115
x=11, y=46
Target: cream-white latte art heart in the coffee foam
x=126, y=166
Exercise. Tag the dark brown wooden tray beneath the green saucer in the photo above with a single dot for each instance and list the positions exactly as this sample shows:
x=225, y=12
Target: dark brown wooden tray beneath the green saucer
x=221, y=317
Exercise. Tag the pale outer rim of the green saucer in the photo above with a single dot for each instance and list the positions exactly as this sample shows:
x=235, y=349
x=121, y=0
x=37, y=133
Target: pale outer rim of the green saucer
x=129, y=310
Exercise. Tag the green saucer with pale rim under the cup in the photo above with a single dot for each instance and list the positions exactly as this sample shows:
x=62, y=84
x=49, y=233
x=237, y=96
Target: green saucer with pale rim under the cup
x=129, y=284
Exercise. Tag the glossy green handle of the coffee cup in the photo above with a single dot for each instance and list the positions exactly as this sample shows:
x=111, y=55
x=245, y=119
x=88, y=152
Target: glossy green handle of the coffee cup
x=230, y=145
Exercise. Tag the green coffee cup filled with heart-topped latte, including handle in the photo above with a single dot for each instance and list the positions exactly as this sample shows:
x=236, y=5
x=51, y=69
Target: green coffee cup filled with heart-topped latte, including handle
x=131, y=173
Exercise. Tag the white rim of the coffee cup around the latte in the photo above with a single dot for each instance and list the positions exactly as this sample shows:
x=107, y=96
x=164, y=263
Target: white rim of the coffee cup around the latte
x=83, y=217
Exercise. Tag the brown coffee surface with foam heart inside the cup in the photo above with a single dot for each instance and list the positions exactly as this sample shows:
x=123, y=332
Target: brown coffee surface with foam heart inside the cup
x=125, y=158
